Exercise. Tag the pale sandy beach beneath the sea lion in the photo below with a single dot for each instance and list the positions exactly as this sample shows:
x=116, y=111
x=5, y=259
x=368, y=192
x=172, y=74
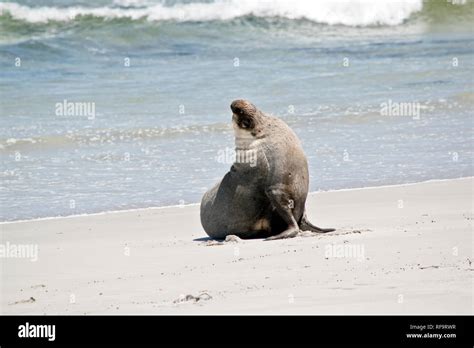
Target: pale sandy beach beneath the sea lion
x=397, y=250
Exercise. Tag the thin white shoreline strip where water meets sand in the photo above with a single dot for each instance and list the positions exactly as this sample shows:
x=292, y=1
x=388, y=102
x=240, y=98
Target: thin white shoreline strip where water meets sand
x=197, y=204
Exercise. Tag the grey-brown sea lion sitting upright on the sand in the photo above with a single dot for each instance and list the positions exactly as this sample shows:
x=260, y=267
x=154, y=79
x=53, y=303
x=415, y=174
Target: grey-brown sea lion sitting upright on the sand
x=264, y=193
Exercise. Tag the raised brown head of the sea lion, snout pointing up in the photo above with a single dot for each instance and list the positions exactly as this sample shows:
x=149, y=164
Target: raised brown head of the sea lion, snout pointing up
x=246, y=117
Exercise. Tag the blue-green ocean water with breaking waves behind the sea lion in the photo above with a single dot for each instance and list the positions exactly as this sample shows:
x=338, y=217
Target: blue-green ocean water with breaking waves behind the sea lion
x=379, y=92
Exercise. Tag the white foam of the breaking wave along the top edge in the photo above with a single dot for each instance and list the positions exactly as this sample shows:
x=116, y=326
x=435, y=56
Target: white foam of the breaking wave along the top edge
x=332, y=12
